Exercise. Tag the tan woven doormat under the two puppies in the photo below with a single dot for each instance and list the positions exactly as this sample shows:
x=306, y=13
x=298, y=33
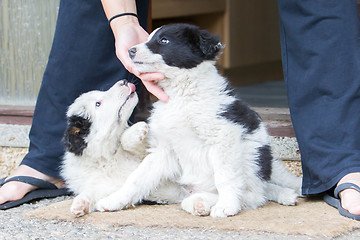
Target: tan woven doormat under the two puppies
x=308, y=217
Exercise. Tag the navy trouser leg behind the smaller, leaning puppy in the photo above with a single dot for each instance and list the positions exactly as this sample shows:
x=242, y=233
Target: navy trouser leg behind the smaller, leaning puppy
x=82, y=59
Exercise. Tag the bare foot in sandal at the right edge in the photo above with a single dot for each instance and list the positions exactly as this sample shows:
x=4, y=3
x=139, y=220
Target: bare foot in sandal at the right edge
x=350, y=198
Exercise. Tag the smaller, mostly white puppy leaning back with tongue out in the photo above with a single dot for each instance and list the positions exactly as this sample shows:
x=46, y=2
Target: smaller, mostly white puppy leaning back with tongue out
x=102, y=150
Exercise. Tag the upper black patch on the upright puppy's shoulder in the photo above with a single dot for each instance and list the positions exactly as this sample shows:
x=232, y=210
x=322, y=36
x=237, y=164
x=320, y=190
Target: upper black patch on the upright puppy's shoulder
x=238, y=112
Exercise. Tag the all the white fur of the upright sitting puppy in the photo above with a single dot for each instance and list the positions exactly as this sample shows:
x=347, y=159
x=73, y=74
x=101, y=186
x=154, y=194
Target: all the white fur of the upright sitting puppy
x=213, y=158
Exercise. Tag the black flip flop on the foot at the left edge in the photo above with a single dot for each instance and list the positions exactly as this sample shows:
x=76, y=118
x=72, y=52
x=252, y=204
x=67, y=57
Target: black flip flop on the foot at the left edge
x=44, y=190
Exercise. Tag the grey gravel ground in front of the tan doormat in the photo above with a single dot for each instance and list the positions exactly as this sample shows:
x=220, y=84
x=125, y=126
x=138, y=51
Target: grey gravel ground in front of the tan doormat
x=14, y=226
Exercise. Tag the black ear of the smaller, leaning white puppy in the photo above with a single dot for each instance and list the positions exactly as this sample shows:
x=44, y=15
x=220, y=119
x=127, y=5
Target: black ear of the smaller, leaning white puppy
x=77, y=130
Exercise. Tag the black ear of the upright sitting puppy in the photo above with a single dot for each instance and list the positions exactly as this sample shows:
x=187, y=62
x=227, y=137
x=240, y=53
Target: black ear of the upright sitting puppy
x=210, y=45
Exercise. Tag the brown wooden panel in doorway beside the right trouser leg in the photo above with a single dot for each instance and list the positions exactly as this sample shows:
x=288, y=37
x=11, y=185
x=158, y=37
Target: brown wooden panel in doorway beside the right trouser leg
x=251, y=32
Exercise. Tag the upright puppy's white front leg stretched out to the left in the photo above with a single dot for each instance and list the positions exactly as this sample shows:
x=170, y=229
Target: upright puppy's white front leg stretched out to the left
x=139, y=184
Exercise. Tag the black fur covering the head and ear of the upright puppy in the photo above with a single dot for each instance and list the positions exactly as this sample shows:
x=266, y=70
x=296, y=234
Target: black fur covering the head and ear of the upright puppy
x=184, y=46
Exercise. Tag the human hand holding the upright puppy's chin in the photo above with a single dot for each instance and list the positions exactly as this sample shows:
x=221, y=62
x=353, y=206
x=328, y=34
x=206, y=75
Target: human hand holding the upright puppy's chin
x=128, y=33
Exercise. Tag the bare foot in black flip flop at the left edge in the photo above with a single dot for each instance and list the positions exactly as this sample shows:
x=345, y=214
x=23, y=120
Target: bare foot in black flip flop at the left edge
x=14, y=190
